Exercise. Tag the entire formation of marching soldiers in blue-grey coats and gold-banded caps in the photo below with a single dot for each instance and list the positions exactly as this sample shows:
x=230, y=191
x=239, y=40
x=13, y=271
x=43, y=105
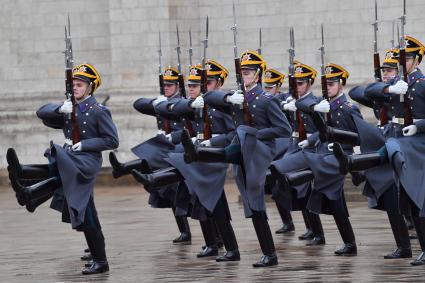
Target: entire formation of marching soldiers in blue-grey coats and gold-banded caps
x=300, y=148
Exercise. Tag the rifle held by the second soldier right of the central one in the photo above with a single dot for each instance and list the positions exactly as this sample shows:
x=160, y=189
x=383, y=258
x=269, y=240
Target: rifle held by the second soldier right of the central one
x=293, y=85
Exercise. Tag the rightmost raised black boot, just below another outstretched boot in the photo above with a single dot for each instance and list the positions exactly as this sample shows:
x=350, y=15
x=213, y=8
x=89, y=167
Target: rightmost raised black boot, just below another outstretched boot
x=356, y=162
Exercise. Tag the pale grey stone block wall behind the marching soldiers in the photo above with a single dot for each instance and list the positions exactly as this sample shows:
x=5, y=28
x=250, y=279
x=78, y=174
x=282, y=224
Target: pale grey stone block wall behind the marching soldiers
x=120, y=38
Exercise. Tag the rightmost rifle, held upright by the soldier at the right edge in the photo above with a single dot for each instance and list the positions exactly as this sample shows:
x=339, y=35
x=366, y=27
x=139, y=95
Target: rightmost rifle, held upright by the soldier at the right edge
x=408, y=119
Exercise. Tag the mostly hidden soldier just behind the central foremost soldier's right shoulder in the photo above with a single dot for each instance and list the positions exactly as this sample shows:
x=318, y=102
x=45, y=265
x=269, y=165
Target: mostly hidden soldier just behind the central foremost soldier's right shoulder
x=272, y=83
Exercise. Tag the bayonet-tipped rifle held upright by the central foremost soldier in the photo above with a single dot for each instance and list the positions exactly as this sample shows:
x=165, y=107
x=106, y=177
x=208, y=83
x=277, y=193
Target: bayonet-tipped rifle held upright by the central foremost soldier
x=239, y=81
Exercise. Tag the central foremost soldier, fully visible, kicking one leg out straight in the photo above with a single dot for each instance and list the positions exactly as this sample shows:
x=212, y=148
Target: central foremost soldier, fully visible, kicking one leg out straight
x=259, y=121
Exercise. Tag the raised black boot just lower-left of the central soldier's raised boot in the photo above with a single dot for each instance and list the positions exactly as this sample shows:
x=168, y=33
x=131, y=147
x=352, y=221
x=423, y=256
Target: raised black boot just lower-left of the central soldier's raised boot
x=158, y=178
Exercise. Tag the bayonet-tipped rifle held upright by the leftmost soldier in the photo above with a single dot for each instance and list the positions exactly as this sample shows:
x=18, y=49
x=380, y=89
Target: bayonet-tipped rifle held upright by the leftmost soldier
x=69, y=88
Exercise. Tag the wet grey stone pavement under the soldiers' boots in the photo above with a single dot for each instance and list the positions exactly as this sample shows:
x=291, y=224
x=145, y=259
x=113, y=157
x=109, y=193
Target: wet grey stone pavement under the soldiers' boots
x=39, y=248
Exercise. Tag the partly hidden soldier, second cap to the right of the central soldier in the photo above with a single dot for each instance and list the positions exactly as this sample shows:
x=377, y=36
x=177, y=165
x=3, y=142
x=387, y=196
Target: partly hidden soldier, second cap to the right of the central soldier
x=296, y=198
